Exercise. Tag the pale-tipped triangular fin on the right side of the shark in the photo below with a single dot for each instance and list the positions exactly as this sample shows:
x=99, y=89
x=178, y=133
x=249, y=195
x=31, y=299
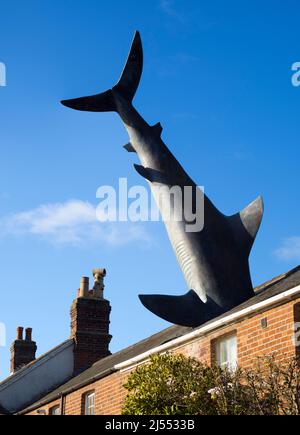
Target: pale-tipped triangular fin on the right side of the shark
x=245, y=224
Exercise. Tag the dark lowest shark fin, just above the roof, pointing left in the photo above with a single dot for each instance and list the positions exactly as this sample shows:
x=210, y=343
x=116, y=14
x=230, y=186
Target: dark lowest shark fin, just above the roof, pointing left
x=186, y=310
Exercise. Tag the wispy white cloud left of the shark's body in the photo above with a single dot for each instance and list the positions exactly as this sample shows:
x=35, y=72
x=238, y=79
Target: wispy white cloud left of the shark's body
x=71, y=223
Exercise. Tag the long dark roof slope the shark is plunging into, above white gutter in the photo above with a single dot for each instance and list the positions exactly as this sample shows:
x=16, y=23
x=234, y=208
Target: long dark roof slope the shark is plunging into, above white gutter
x=106, y=365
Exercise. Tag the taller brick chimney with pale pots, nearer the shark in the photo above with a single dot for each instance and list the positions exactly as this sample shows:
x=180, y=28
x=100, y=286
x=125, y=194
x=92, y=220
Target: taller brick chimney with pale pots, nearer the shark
x=90, y=323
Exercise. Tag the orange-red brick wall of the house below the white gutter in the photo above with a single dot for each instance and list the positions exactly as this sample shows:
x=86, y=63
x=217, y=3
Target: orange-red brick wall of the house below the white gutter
x=253, y=341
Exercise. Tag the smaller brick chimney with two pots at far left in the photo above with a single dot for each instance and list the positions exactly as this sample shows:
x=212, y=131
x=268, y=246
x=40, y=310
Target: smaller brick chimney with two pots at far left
x=22, y=352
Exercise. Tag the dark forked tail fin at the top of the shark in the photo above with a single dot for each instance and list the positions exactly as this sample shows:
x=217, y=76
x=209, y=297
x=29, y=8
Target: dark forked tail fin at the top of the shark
x=126, y=86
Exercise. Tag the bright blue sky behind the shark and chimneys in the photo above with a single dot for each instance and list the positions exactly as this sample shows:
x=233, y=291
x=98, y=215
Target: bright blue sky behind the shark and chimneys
x=217, y=75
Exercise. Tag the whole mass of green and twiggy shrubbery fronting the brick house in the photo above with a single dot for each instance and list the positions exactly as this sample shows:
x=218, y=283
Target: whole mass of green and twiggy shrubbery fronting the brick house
x=173, y=384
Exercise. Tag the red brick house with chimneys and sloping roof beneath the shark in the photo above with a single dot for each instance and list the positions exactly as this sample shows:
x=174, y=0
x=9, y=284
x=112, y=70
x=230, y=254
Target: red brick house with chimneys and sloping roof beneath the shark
x=80, y=376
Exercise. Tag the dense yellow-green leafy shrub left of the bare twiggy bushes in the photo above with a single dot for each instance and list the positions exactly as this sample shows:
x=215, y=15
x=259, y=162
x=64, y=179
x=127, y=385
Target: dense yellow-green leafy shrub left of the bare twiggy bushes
x=169, y=384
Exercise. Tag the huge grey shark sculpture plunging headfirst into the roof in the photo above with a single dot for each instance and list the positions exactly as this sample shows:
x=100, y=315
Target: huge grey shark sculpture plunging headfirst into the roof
x=214, y=260
